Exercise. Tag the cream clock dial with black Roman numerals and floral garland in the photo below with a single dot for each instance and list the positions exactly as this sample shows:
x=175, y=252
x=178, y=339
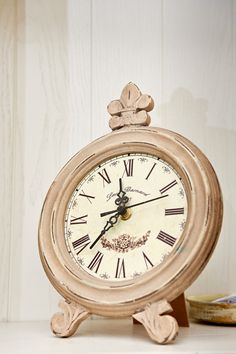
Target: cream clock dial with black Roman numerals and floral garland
x=117, y=247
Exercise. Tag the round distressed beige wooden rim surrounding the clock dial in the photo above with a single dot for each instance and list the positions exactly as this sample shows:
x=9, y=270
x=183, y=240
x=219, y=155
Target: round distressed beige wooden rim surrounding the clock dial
x=171, y=278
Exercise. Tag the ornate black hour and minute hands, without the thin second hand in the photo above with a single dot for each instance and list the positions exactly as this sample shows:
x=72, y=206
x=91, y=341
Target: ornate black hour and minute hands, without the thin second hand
x=121, y=209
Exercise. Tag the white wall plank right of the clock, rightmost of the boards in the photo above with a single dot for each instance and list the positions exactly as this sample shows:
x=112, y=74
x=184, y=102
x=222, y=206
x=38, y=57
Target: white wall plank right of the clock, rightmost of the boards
x=198, y=102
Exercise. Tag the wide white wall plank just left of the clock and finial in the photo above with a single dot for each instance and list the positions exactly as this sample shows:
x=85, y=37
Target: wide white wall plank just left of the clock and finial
x=51, y=123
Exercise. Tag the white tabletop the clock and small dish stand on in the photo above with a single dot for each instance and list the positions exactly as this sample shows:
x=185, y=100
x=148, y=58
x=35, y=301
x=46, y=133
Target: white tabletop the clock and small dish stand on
x=112, y=336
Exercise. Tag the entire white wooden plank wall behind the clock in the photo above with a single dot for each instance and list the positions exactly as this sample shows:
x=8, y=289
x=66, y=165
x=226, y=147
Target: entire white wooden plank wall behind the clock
x=61, y=62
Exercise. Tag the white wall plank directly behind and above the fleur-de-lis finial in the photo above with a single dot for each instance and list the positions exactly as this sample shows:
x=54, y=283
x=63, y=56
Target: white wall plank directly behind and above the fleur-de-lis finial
x=126, y=46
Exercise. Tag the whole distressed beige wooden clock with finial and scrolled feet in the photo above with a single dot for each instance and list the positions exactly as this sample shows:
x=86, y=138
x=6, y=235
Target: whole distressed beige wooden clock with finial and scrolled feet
x=129, y=223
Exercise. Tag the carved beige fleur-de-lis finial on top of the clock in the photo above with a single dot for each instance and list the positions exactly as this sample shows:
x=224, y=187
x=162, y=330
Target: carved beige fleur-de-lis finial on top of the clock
x=130, y=109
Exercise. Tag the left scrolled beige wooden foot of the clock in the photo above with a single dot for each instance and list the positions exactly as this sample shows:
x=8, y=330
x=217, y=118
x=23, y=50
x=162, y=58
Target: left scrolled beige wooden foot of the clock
x=66, y=323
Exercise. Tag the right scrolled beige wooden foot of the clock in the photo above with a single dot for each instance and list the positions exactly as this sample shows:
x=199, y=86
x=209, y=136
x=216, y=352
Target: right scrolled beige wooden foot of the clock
x=161, y=329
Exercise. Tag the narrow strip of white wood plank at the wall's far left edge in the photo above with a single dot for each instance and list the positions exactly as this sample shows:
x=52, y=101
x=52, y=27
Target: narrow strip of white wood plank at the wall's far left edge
x=7, y=115
